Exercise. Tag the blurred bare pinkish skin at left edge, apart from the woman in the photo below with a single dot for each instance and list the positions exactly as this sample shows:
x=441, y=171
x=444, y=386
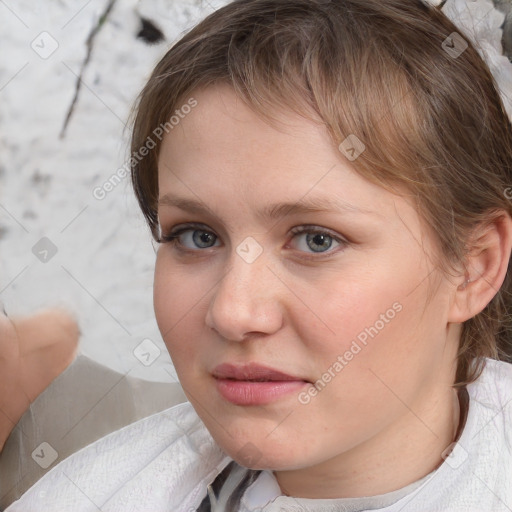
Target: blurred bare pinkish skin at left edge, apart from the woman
x=34, y=351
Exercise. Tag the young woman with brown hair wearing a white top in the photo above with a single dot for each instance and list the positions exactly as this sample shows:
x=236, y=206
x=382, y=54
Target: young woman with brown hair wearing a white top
x=328, y=183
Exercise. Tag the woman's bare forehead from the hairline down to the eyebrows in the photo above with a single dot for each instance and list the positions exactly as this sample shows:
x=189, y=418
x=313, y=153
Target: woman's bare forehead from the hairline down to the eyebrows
x=225, y=155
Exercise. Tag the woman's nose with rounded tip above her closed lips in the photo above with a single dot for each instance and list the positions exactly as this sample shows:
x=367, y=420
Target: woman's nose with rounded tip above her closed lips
x=246, y=301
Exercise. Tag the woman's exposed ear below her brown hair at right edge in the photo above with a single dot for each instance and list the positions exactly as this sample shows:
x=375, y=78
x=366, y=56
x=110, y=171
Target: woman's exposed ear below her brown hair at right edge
x=486, y=267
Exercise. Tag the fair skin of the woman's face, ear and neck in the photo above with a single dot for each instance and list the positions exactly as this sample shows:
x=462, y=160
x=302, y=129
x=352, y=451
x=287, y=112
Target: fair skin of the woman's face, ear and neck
x=385, y=419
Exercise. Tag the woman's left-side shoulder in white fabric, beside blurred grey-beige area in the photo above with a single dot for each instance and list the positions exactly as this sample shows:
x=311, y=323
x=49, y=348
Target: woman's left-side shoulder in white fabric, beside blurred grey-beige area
x=155, y=461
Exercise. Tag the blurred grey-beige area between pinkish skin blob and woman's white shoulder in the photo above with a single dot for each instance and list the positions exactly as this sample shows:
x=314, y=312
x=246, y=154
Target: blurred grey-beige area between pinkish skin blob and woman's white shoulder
x=83, y=404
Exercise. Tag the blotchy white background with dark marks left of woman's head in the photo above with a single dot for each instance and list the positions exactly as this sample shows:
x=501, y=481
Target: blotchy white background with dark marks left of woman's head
x=59, y=245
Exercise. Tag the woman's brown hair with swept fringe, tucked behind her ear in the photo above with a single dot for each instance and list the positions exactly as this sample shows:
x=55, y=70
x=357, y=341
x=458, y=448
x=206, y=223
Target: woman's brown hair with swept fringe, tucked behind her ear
x=432, y=122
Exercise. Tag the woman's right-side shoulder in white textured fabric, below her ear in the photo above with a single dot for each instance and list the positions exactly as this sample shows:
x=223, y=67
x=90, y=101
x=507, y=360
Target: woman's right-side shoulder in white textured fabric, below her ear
x=475, y=474
